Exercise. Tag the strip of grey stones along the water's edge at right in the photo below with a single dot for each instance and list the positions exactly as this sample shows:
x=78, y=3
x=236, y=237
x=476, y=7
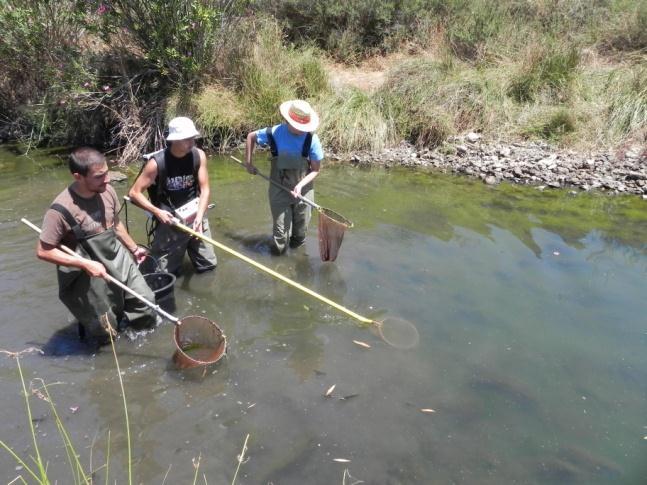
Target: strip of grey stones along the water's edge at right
x=532, y=163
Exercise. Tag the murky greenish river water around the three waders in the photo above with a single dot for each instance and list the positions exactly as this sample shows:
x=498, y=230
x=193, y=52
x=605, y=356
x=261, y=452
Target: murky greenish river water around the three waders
x=530, y=307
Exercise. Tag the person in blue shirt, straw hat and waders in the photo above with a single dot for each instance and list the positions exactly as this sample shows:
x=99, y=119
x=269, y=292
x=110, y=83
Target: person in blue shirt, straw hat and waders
x=296, y=160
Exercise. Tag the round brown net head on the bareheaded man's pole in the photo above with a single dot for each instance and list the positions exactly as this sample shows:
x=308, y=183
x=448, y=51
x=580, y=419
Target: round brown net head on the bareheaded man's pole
x=199, y=334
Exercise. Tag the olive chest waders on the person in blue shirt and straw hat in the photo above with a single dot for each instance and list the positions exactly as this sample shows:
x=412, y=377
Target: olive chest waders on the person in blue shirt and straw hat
x=290, y=216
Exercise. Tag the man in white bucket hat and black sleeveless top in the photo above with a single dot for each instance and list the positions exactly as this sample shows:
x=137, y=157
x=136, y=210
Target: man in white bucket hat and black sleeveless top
x=176, y=177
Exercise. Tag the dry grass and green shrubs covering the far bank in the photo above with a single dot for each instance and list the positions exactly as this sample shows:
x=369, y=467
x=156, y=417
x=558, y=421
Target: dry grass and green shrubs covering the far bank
x=111, y=72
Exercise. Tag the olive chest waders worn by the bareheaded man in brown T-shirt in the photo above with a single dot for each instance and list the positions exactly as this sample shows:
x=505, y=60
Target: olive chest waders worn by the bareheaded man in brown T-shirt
x=88, y=298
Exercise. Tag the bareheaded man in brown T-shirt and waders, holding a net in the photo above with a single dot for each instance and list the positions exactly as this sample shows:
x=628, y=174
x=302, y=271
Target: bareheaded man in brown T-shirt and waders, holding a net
x=84, y=217
